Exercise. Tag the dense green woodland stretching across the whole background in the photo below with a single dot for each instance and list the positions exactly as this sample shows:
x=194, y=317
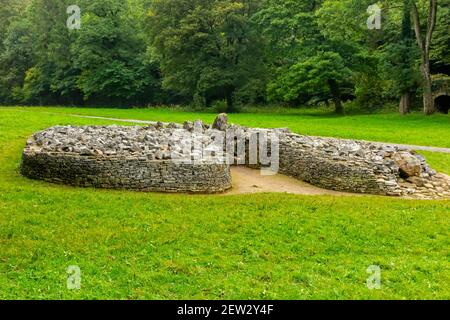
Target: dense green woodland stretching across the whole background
x=224, y=54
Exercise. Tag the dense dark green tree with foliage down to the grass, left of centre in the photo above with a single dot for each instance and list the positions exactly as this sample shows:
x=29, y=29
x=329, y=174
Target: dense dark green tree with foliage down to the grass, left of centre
x=110, y=54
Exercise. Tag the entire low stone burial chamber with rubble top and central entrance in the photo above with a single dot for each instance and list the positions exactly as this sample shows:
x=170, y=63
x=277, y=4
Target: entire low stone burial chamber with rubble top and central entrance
x=190, y=158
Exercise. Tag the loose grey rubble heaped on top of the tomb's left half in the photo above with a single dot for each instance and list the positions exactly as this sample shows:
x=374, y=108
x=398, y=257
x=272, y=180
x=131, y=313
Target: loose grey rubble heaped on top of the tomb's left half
x=160, y=142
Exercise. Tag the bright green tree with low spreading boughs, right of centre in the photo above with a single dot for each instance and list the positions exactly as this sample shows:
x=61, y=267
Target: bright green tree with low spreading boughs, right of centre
x=304, y=46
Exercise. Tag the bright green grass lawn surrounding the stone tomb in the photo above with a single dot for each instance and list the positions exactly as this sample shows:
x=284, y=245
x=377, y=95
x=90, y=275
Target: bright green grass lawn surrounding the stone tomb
x=133, y=245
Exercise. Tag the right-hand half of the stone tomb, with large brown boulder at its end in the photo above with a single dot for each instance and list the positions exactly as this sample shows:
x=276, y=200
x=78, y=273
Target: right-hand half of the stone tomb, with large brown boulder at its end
x=354, y=166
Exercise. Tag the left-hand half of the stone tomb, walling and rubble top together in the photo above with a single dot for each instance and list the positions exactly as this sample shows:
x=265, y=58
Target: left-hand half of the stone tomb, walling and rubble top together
x=135, y=158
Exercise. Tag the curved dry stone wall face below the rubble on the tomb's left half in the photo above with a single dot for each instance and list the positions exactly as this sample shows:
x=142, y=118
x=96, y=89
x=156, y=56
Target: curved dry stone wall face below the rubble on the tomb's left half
x=126, y=173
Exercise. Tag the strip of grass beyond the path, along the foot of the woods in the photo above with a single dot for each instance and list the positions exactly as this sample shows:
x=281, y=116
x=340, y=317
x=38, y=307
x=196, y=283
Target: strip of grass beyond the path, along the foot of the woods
x=411, y=129
